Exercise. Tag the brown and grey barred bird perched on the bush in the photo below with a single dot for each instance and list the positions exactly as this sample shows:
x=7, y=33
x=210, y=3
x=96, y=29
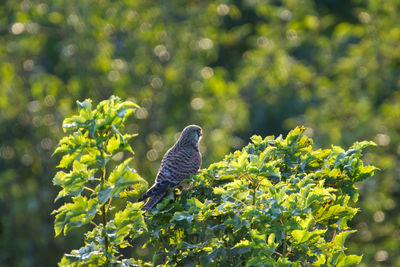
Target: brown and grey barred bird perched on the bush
x=179, y=162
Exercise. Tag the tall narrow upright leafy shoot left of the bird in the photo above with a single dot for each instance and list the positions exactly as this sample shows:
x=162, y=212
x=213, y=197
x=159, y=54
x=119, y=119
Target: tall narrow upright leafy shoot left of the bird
x=93, y=187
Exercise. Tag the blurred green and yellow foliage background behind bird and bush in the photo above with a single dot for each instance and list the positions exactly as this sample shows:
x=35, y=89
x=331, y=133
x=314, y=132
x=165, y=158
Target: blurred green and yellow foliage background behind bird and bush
x=234, y=67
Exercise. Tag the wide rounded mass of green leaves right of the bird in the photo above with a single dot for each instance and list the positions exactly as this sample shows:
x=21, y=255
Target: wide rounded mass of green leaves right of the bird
x=277, y=202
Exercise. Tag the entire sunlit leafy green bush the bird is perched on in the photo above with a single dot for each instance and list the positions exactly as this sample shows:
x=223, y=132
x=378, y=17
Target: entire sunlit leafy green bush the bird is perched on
x=276, y=202
